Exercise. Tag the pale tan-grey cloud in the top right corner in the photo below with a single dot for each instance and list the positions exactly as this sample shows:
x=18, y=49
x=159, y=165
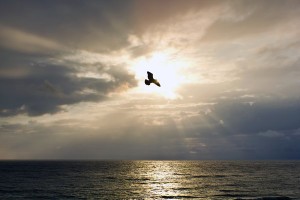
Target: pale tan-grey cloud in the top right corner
x=246, y=18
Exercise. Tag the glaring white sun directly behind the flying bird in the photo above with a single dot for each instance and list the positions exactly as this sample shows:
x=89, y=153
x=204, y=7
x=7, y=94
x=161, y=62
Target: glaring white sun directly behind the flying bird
x=166, y=68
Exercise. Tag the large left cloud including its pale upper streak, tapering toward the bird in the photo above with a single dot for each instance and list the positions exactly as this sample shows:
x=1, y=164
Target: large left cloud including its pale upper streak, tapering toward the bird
x=39, y=76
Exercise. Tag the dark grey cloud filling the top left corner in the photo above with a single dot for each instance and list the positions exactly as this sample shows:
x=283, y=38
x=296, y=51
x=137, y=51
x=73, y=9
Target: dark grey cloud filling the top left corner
x=94, y=25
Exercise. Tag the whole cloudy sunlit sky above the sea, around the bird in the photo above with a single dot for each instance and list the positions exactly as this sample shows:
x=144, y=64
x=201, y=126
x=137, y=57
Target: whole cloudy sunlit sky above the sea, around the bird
x=72, y=79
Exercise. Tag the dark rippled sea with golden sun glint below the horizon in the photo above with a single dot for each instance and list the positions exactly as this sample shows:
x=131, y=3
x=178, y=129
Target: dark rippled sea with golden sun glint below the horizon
x=150, y=179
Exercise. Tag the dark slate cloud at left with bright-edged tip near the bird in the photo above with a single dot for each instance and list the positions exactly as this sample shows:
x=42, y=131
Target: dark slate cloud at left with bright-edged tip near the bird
x=35, y=88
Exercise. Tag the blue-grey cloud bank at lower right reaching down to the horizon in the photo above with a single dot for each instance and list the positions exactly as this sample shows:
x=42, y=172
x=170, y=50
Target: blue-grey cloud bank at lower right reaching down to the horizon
x=235, y=130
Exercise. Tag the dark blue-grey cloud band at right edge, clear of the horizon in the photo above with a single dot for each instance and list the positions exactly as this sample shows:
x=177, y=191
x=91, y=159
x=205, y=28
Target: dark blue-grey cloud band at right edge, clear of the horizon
x=278, y=115
